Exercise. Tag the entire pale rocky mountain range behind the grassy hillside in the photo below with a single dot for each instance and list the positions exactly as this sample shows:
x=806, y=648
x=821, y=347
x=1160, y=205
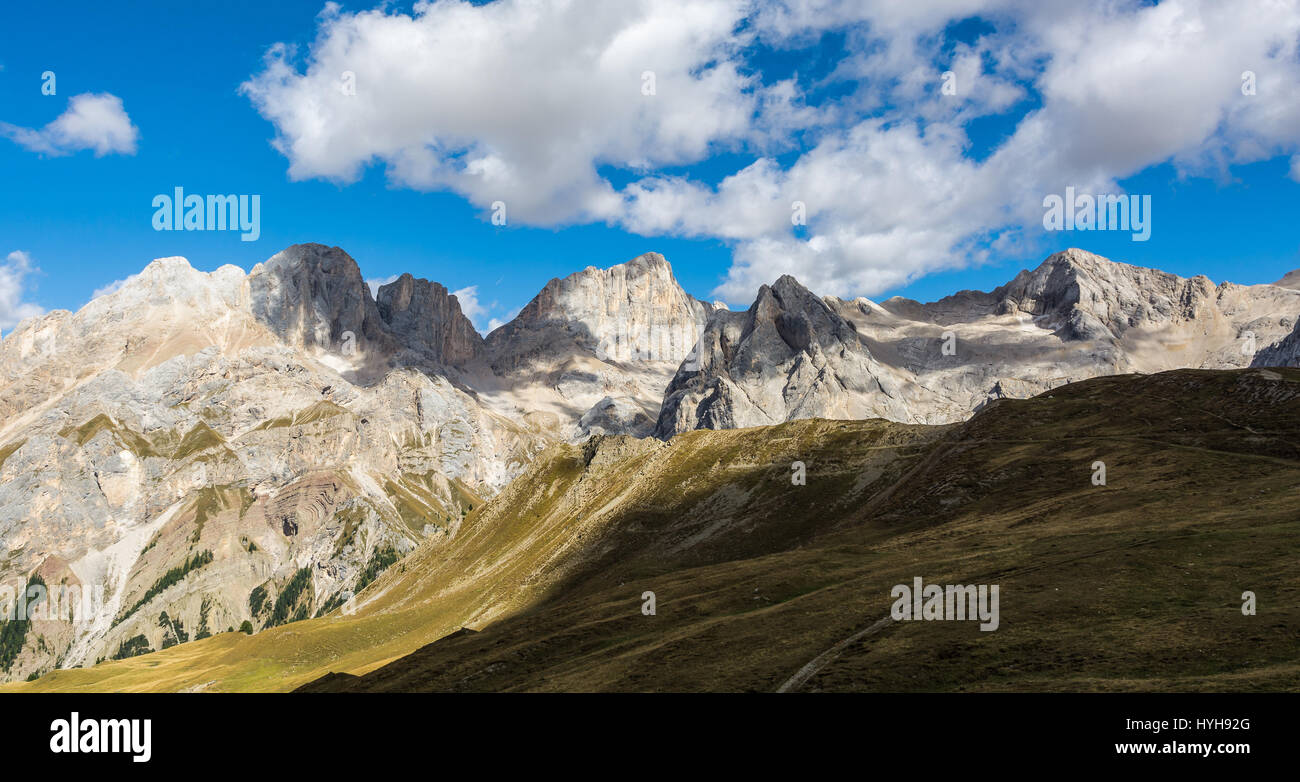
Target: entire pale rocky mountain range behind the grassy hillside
x=218, y=450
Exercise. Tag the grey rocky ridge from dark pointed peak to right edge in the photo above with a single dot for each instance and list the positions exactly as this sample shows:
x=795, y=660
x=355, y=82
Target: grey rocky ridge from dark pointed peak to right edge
x=1076, y=316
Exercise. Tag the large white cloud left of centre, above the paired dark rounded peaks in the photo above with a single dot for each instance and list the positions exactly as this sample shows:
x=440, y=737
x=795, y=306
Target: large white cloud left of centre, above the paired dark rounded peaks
x=517, y=101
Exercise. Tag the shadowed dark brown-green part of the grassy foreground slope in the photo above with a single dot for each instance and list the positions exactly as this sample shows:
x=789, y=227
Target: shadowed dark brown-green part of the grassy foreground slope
x=1136, y=585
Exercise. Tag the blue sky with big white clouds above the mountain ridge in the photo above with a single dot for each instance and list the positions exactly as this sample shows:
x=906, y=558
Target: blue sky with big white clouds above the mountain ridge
x=909, y=192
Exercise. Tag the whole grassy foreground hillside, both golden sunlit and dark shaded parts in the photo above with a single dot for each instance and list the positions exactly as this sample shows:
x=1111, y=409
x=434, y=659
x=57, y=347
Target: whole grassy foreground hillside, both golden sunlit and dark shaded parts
x=1136, y=585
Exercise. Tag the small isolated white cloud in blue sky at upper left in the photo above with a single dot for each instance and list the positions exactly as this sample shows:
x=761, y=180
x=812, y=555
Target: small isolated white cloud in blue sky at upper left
x=93, y=121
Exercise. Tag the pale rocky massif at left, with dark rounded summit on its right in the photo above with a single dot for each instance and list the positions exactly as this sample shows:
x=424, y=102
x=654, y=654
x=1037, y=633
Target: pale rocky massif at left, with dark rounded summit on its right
x=274, y=423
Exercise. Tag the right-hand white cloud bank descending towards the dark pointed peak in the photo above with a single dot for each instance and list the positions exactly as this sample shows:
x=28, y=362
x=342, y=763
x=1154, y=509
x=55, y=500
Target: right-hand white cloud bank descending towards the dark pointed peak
x=896, y=195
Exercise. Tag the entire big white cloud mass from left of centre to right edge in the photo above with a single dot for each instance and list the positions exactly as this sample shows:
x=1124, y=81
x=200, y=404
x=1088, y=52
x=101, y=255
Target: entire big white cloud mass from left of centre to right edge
x=532, y=102
